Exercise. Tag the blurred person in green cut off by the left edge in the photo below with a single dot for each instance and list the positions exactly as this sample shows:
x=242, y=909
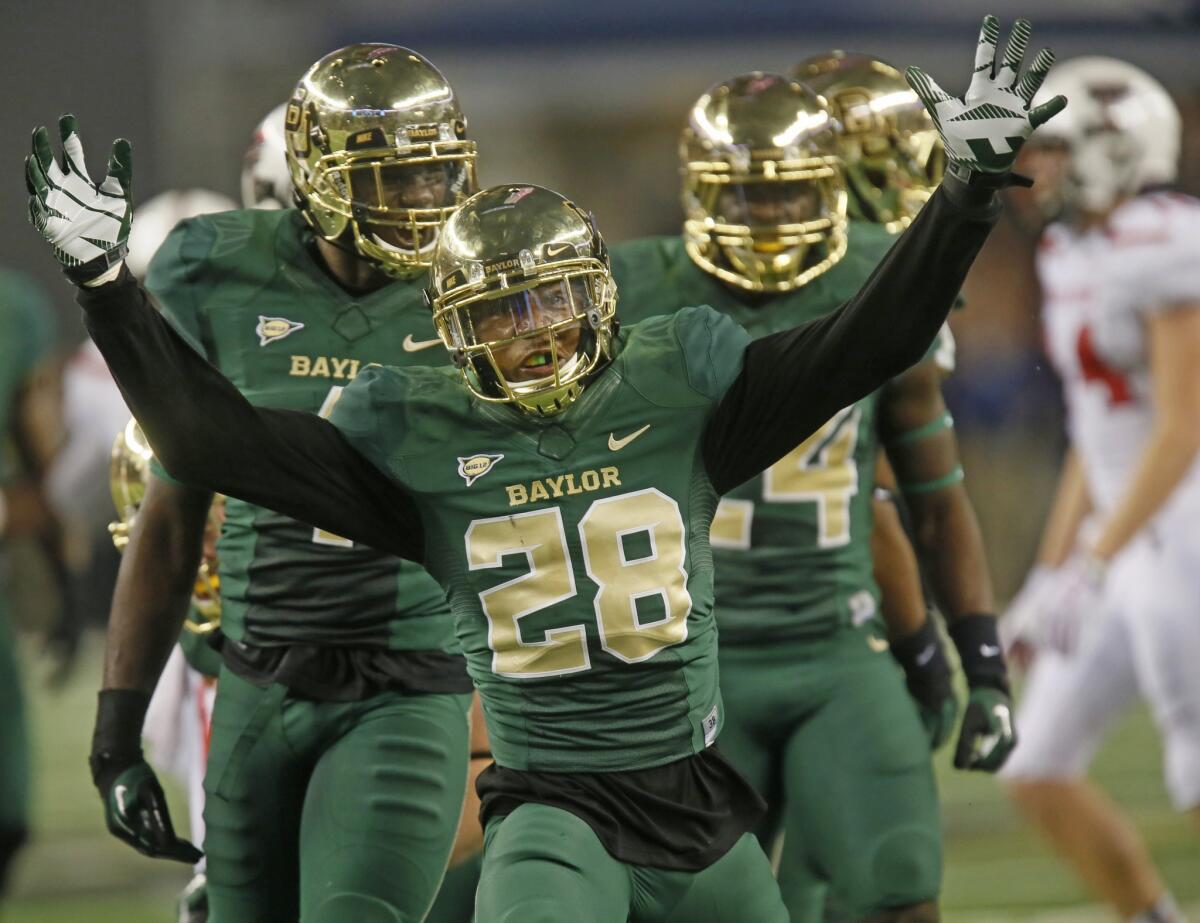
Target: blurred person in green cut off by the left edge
x=27, y=335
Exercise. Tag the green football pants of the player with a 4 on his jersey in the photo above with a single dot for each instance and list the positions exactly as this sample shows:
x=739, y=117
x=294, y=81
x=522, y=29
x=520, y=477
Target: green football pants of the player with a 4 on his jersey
x=829, y=735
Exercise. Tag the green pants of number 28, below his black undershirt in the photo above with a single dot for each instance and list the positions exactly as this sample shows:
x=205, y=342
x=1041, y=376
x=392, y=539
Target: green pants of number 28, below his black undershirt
x=544, y=865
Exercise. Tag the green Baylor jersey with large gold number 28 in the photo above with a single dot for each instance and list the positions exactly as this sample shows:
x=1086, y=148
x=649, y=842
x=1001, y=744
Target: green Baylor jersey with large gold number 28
x=574, y=548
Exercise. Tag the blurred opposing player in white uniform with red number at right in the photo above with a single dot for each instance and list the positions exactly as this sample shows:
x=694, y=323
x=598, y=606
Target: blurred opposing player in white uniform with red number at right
x=1113, y=612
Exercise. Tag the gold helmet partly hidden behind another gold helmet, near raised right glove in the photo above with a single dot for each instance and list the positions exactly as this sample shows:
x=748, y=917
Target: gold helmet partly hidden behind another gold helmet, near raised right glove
x=891, y=151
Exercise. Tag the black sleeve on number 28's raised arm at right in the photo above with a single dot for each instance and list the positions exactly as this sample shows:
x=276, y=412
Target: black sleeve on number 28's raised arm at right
x=793, y=382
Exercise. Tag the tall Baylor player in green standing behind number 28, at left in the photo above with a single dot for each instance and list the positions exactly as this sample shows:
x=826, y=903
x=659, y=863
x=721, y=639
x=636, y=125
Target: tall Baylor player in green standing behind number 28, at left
x=339, y=742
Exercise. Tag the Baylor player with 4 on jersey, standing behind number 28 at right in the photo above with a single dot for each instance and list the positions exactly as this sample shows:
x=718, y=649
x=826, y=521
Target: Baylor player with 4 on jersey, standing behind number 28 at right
x=803, y=656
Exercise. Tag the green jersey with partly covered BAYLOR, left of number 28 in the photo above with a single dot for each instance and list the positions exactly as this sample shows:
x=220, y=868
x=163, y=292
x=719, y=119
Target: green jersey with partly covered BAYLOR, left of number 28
x=244, y=290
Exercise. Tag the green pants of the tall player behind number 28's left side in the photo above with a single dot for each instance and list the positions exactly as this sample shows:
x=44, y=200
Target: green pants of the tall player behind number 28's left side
x=331, y=812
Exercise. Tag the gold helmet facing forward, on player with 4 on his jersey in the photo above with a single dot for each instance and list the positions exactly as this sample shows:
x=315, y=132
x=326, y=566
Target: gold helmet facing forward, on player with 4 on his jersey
x=765, y=202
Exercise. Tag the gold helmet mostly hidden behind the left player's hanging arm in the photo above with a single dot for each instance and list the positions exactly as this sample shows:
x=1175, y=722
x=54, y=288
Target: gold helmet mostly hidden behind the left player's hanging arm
x=129, y=471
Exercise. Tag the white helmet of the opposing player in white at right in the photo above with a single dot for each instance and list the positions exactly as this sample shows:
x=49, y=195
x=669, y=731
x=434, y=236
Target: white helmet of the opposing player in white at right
x=1121, y=128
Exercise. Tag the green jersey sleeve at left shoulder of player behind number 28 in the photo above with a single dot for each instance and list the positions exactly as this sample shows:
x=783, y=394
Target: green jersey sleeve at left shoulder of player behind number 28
x=173, y=278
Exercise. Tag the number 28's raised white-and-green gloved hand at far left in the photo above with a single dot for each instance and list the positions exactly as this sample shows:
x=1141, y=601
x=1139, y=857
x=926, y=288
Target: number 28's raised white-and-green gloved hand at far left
x=87, y=225
